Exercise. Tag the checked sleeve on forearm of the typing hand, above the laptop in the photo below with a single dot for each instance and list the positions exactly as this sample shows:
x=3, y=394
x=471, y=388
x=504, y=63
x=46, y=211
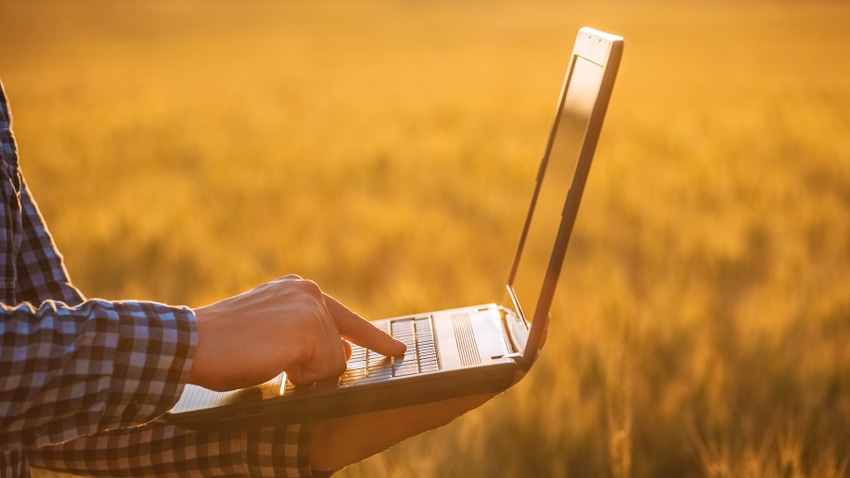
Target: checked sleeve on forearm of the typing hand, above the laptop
x=74, y=371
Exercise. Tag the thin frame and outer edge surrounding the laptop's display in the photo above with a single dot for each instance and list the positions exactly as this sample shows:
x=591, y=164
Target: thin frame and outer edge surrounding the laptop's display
x=605, y=51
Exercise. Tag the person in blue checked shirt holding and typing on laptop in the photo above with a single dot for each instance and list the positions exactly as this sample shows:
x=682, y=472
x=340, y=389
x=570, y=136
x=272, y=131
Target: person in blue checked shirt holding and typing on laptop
x=77, y=367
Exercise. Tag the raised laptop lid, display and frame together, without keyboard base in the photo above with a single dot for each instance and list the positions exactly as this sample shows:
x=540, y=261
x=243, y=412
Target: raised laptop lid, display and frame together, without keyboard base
x=560, y=180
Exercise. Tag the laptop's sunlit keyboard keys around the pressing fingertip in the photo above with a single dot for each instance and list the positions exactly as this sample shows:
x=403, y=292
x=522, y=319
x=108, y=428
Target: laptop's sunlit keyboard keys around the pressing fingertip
x=416, y=332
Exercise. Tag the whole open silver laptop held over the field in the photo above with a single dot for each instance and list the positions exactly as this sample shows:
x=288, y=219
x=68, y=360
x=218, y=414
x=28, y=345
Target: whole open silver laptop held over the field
x=468, y=350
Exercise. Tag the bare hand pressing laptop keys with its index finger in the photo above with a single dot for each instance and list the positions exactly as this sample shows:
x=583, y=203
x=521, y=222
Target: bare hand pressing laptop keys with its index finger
x=284, y=325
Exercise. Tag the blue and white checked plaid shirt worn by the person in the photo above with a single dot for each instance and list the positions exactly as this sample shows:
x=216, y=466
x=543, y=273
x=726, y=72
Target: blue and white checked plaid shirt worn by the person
x=82, y=382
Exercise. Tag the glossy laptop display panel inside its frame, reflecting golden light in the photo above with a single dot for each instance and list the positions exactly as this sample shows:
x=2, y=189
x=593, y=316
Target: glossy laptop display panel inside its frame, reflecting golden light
x=528, y=281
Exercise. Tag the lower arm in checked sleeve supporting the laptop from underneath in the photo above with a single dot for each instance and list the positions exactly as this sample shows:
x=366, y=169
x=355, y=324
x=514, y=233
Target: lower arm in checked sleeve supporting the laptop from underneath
x=159, y=450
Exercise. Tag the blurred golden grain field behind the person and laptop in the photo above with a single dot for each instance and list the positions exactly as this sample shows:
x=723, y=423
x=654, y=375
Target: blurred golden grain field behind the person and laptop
x=186, y=151
